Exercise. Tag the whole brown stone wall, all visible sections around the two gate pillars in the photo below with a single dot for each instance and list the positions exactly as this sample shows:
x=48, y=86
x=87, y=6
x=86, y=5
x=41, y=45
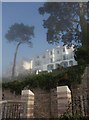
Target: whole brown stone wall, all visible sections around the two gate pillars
x=46, y=102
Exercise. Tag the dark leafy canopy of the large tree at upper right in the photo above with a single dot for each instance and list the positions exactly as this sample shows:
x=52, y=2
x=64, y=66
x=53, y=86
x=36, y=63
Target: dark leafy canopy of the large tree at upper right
x=66, y=22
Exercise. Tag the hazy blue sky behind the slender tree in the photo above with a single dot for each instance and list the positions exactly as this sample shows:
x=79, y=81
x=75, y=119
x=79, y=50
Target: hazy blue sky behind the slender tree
x=27, y=13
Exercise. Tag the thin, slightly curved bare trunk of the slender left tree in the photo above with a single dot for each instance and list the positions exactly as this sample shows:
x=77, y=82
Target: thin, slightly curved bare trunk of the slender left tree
x=14, y=63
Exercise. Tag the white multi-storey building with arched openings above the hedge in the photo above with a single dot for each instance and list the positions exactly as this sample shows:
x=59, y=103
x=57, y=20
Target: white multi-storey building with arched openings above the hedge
x=51, y=59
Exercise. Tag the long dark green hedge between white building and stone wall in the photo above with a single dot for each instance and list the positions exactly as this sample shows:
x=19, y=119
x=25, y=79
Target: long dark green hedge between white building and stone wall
x=67, y=76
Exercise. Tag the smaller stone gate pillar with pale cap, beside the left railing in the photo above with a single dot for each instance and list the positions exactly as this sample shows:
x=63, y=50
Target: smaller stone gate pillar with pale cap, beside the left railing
x=28, y=97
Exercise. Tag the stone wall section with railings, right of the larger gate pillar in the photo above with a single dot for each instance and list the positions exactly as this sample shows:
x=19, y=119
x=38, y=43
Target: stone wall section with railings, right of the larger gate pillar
x=80, y=95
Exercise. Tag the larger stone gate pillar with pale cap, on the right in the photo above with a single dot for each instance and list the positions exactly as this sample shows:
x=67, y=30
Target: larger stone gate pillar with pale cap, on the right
x=64, y=100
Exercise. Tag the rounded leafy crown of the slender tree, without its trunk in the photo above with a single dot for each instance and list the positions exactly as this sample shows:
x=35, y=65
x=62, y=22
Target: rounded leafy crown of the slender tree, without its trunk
x=20, y=33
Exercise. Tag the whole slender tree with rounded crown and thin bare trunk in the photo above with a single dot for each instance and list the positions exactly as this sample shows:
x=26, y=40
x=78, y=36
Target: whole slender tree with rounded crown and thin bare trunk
x=21, y=34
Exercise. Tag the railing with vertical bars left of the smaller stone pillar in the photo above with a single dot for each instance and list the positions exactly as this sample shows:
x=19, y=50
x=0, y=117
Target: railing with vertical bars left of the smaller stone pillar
x=12, y=109
